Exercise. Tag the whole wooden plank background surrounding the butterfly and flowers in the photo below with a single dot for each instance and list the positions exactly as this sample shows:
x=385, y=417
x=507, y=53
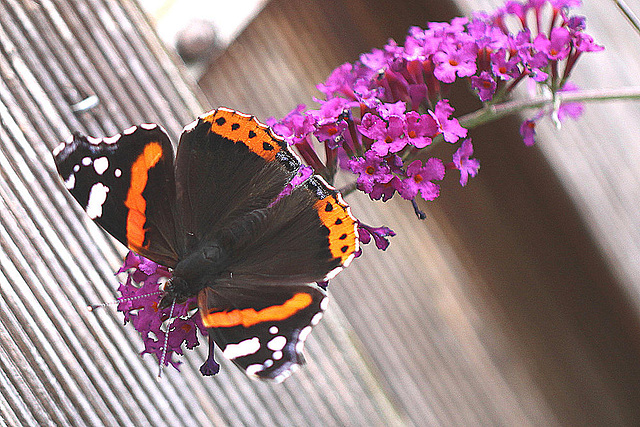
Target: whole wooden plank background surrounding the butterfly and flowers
x=515, y=302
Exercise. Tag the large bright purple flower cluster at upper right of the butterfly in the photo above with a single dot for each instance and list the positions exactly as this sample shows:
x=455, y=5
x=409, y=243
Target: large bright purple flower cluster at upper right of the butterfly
x=380, y=115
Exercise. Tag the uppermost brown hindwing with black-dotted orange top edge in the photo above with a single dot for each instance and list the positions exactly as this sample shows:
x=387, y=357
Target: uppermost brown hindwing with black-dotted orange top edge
x=228, y=165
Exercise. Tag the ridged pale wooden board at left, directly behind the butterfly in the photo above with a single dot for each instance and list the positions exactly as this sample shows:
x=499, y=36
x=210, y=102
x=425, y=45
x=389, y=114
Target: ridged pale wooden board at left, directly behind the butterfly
x=62, y=365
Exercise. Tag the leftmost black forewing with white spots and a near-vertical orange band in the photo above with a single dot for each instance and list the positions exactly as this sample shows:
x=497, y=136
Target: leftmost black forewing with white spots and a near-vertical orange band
x=126, y=184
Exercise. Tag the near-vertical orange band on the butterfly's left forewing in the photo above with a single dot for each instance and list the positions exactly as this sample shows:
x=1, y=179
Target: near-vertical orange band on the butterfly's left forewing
x=135, y=201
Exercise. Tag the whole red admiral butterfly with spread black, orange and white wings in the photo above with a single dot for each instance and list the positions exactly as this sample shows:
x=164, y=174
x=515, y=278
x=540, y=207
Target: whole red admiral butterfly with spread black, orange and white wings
x=217, y=216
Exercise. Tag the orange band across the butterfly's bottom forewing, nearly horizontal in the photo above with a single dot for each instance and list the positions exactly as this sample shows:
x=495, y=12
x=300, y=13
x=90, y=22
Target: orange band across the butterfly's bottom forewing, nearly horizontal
x=249, y=316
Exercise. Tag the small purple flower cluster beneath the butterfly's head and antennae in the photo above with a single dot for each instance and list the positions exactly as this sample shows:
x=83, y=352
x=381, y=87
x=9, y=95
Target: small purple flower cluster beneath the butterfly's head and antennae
x=139, y=301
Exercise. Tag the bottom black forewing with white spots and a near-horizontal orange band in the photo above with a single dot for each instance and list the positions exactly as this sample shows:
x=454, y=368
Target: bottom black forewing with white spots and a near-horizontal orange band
x=262, y=328
